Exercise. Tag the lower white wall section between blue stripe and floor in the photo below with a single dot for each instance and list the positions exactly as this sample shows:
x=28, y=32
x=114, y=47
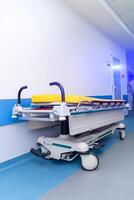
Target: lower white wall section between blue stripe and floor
x=16, y=140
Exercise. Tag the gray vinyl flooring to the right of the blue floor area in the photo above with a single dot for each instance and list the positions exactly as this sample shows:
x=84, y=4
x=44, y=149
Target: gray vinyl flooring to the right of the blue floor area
x=113, y=180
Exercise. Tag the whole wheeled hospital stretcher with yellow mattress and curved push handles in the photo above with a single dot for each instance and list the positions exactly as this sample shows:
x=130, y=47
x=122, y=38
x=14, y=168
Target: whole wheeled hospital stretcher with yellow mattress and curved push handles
x=83, y=123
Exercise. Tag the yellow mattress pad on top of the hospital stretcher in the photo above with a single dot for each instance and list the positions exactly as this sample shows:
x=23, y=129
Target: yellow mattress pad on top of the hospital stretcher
x=50, y=98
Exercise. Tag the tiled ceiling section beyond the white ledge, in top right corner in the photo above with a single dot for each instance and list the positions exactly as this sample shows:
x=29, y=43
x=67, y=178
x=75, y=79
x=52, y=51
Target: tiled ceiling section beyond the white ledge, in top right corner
x=125, y=10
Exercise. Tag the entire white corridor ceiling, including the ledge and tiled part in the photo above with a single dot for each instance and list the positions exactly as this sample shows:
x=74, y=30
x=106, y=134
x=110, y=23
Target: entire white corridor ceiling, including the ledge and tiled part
x=113, y=17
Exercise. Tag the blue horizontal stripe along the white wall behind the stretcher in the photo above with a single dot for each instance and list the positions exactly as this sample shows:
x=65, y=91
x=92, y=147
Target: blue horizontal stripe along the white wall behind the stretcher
x=7, y=104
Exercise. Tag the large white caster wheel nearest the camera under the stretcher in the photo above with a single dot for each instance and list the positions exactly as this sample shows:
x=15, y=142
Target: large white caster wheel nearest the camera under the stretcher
x=89, y=162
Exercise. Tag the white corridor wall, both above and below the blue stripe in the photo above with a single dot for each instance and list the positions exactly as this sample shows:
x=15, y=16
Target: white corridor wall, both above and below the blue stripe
x=43, y=41
